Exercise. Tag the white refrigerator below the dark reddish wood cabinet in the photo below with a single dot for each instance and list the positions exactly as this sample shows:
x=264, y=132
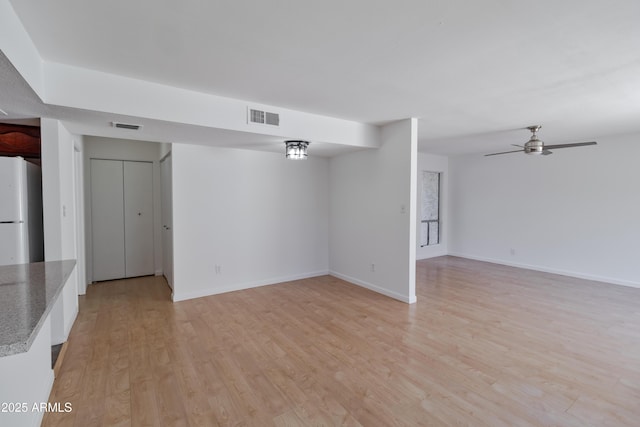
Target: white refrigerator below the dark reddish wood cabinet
x=21, y=229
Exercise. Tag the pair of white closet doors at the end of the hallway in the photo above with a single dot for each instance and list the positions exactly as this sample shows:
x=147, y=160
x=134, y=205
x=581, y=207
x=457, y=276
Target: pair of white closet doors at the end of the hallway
x=121, y=218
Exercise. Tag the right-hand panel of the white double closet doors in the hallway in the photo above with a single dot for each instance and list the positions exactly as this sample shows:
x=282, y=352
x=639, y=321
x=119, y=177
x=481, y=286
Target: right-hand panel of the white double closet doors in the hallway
x=138, y=218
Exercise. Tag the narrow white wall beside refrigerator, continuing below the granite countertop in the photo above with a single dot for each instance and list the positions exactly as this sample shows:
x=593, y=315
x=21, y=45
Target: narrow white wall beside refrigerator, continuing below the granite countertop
x=59, y=215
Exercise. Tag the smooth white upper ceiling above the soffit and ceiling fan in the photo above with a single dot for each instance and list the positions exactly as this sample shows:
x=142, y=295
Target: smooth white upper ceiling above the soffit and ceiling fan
x=474, y=73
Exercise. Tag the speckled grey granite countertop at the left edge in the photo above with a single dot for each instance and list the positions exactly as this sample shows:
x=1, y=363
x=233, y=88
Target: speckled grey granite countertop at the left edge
x=27, y=294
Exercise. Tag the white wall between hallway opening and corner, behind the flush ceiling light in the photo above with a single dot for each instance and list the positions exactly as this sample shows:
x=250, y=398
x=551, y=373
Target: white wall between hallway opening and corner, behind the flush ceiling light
x=259, y=217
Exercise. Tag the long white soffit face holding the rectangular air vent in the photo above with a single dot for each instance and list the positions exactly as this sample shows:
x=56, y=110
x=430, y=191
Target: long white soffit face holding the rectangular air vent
x=76, y=87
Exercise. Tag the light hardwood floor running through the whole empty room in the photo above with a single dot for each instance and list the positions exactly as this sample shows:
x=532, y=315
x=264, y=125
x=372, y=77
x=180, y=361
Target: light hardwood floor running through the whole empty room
x=485, y=345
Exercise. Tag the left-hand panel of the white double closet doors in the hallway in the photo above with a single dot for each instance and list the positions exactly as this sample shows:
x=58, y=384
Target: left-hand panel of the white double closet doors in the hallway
x=107, y=220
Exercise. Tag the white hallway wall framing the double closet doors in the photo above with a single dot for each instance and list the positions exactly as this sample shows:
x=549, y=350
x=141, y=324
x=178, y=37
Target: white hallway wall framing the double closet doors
x=122, y=149
